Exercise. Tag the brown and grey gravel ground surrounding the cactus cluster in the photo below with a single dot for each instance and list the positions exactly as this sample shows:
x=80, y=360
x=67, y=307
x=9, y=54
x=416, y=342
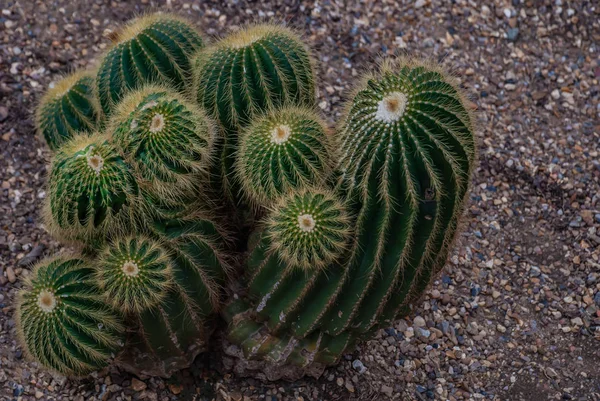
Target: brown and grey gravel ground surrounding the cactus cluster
x=516, y=314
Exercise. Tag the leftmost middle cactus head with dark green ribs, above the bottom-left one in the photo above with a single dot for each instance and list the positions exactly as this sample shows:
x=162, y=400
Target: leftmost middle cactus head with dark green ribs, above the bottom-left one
x=91, y=191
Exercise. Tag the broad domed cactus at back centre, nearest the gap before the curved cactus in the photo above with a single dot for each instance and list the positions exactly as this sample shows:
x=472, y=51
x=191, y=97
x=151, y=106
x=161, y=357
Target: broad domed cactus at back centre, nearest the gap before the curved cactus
x=256, y=69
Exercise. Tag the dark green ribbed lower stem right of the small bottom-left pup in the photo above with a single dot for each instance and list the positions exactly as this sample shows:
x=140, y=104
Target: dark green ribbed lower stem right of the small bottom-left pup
x=180, y=321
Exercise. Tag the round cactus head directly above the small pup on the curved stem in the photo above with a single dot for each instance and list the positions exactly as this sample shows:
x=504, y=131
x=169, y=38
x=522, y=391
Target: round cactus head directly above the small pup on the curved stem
x=285, y=150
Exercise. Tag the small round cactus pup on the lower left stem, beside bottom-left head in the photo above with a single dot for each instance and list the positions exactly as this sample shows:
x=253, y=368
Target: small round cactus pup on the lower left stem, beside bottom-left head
x=134, y=274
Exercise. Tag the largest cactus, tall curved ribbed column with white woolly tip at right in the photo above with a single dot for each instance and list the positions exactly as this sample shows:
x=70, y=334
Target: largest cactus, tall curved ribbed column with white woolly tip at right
x=407, y=149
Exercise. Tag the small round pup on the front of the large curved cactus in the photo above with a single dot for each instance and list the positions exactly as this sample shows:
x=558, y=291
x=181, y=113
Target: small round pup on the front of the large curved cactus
x=309, y=229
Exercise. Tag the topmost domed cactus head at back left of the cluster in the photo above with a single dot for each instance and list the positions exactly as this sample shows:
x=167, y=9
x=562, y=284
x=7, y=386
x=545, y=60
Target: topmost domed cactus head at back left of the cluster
x=152, y=49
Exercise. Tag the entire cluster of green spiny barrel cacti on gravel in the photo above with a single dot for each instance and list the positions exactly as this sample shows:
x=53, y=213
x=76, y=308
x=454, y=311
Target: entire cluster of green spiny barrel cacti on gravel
x=199, y=182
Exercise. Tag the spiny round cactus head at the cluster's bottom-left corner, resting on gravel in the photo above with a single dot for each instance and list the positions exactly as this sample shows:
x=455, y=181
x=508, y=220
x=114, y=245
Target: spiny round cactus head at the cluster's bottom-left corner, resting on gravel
x=63, y=321
